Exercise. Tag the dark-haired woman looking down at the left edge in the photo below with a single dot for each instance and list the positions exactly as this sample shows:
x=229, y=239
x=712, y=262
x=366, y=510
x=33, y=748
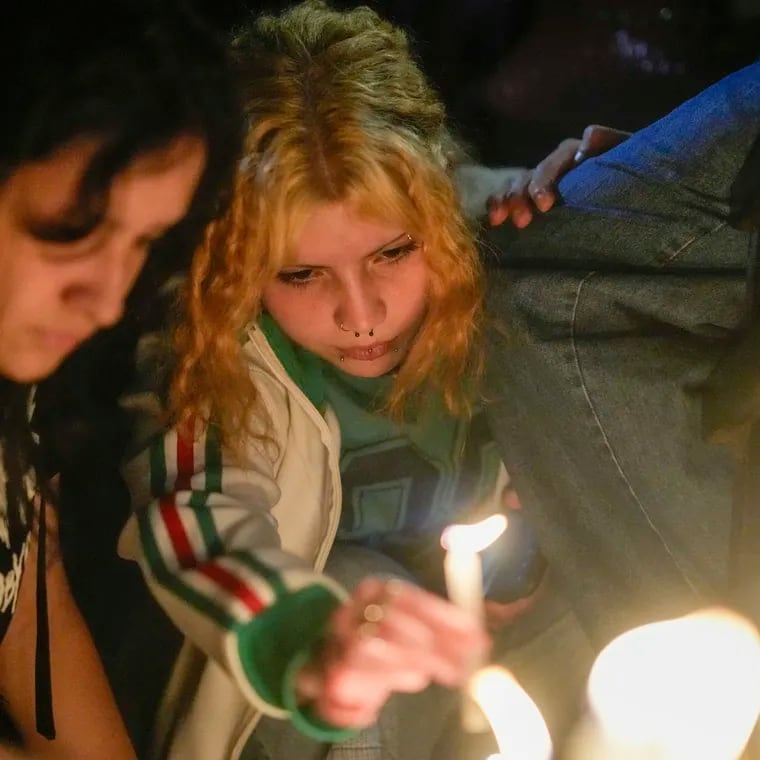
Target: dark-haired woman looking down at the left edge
x=119, y=127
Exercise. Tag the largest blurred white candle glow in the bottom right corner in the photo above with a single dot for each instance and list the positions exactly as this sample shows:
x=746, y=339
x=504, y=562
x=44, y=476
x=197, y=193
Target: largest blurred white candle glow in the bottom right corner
x=685, y=689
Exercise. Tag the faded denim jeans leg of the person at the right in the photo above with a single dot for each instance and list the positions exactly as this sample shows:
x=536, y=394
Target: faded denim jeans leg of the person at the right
x=615, y=308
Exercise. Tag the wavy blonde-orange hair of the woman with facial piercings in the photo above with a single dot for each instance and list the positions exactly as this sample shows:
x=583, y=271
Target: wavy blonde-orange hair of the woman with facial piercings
x=338, y=111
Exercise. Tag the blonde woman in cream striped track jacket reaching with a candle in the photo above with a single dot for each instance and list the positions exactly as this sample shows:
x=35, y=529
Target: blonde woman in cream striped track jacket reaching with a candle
x=325, y=400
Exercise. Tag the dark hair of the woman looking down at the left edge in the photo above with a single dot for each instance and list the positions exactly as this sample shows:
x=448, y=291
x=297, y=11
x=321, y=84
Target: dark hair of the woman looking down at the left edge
x=133, y=75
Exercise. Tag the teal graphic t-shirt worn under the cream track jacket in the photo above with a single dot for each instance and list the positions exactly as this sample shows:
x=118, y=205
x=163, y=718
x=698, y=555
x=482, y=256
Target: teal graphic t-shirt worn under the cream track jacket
x=404, y=483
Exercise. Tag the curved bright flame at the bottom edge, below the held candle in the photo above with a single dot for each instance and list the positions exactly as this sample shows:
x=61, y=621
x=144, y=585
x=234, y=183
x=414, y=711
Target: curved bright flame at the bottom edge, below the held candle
x=517, y=724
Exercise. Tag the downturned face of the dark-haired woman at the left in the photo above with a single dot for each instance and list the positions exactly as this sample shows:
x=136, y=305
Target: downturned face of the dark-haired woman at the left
x=62, y=281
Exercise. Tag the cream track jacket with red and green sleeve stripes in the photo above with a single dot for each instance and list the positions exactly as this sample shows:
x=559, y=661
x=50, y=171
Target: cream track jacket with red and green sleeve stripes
x=283, y=499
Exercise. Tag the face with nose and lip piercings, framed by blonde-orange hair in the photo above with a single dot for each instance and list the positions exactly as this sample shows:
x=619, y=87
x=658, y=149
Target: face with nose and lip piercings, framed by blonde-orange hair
x=356, y=293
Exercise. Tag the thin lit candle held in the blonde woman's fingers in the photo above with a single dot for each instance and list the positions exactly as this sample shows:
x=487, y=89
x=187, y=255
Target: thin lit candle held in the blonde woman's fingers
x=463, y=570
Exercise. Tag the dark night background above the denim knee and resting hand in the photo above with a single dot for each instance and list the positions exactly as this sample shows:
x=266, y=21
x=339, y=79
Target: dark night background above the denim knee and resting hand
x=519, y=75
